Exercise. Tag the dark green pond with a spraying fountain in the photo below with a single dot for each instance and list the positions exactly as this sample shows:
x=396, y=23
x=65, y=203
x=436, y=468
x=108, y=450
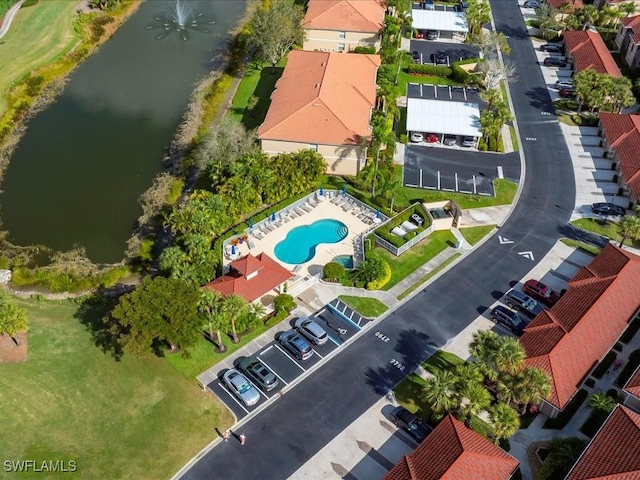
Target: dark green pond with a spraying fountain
x=77, y=174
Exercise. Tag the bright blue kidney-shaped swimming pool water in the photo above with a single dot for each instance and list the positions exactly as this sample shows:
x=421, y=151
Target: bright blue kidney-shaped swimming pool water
x=300, y=244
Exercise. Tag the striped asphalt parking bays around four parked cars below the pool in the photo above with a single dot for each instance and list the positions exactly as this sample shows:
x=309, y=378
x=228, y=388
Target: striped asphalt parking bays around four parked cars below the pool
x=339, y=321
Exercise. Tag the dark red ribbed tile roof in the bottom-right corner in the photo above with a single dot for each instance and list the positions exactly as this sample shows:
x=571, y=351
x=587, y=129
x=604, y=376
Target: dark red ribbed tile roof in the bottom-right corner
x=613, y=452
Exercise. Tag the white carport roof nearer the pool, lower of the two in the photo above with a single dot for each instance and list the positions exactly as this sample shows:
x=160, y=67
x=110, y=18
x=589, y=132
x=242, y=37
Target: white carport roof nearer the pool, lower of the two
x=443, y=117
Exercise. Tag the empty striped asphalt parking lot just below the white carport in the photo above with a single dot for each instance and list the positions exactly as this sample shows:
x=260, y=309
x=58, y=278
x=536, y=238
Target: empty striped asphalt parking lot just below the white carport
x=456, y=170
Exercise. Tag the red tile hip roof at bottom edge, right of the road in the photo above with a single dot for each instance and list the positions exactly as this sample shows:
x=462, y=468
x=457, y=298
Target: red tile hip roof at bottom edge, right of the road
x=454, y=452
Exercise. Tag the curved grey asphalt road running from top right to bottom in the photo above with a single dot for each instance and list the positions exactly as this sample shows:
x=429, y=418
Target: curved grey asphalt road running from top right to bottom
x=294, y=428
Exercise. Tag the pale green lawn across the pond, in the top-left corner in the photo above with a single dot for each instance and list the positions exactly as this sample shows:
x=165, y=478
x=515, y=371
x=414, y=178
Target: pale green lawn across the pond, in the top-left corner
x=38, y=35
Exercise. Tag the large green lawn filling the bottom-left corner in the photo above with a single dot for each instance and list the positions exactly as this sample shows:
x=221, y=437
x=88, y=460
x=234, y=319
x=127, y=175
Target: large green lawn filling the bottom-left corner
x=133, y=418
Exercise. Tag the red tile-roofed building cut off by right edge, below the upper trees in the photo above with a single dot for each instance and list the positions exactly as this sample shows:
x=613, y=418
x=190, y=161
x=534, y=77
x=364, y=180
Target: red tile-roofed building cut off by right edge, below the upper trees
x=621, y=134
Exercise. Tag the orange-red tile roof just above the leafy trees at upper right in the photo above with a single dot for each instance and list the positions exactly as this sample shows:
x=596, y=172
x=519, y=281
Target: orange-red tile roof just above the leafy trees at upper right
x=589, y=51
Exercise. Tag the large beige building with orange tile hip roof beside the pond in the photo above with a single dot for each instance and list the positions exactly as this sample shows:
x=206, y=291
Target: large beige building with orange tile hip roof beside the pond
x=323, y=102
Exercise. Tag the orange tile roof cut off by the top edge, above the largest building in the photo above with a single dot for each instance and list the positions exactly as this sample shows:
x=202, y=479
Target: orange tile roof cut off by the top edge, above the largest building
x=345, y=15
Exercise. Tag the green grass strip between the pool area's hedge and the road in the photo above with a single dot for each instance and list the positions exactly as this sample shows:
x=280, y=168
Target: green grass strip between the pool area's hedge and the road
x=417, y=256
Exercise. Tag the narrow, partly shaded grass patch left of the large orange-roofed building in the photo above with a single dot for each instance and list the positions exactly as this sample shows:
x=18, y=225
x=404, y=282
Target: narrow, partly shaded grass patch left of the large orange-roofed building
x=258, y=80
